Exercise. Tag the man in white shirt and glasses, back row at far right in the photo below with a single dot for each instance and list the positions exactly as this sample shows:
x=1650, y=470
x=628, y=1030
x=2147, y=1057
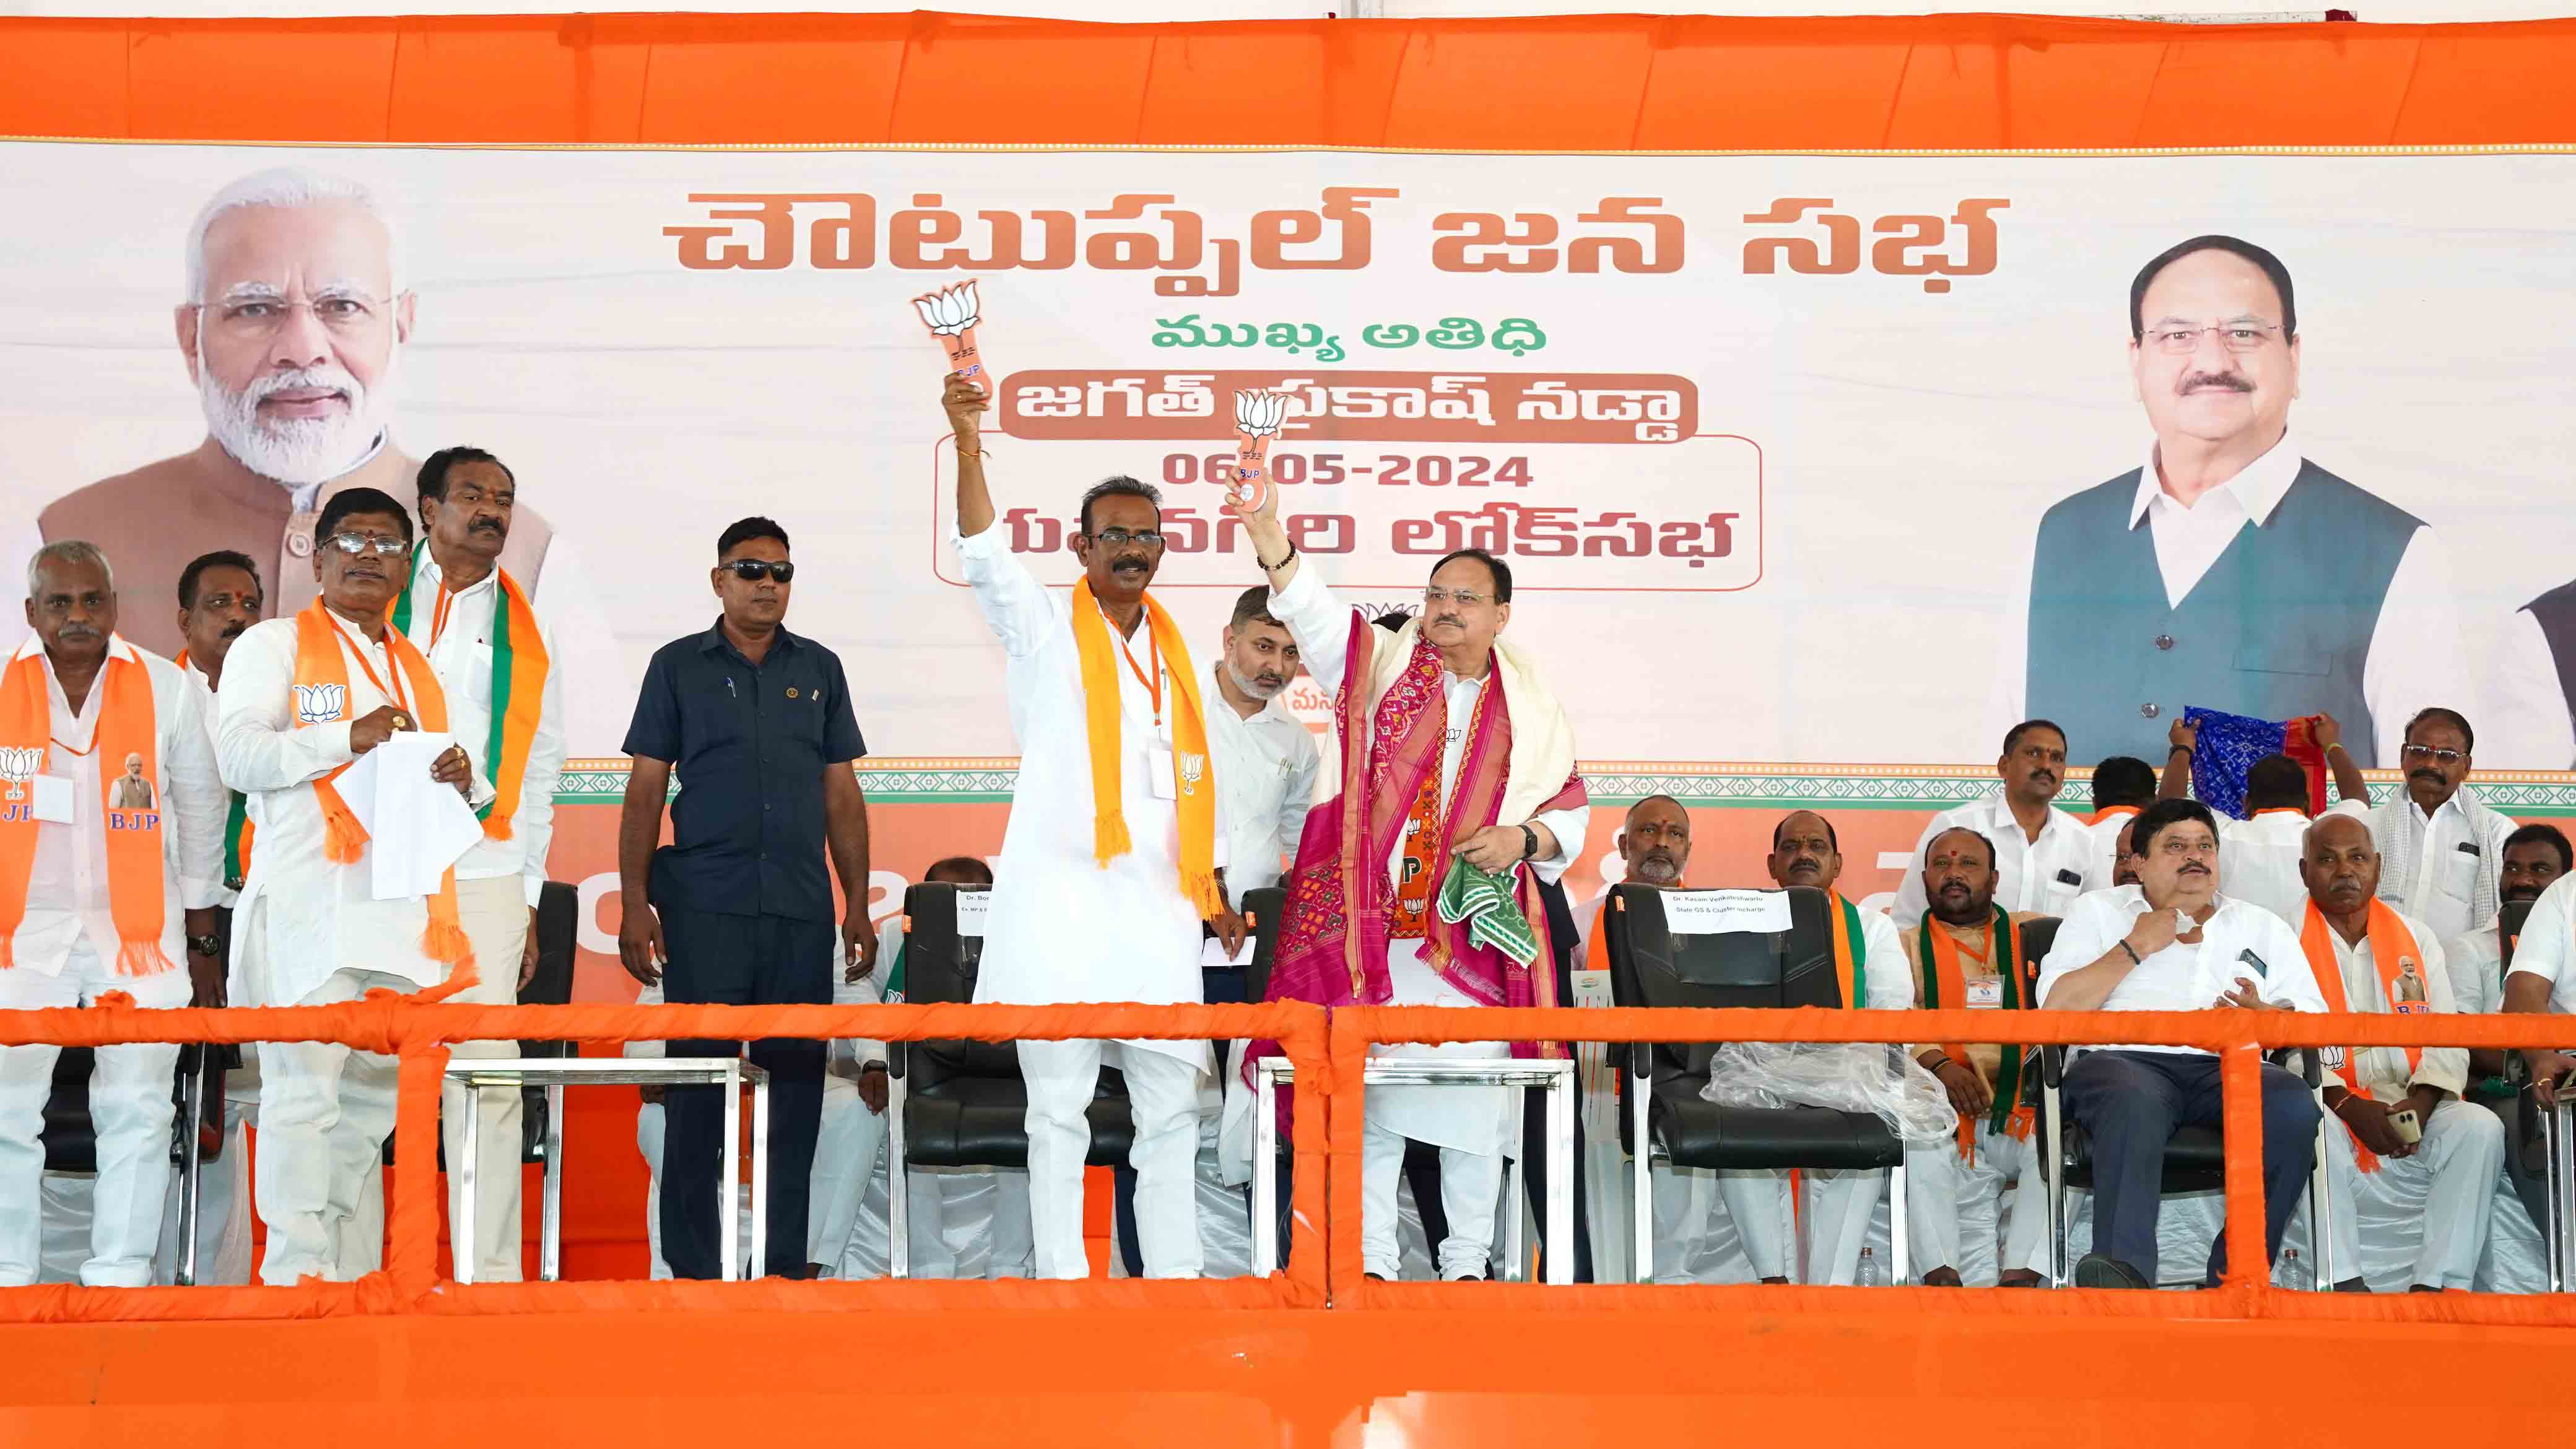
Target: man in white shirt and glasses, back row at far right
x=2441, y=844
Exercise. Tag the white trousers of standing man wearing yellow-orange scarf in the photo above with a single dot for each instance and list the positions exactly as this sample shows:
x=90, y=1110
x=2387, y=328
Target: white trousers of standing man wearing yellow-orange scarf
x=1166, y=1097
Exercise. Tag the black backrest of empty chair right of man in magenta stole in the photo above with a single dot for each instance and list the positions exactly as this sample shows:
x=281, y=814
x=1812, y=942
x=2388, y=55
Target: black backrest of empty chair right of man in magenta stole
x=1655, y=966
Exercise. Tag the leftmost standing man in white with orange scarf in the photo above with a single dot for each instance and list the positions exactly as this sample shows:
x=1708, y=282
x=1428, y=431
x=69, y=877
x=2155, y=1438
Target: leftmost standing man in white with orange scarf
x=94, y=896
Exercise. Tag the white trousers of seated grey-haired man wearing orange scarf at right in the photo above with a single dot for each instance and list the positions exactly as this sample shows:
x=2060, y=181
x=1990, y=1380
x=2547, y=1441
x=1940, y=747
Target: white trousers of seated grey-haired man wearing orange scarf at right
x=2418, y=1221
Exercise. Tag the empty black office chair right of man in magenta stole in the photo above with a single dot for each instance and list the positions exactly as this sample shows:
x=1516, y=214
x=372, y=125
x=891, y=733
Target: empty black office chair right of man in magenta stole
x=1653, y=966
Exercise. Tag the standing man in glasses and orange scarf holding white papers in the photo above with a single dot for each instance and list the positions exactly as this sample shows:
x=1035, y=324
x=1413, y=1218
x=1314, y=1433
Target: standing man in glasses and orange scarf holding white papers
x=300, y=703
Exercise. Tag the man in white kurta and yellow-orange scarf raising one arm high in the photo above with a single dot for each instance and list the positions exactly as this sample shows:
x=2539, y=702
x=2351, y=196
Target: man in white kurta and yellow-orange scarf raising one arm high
x=1114, y=852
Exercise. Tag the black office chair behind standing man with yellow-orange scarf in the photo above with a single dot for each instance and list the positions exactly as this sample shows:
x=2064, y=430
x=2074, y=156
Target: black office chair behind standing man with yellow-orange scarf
x=965, y=1102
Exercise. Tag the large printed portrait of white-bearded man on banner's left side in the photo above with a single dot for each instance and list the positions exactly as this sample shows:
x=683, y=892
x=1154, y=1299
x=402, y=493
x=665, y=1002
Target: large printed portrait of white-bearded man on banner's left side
x=292, y=331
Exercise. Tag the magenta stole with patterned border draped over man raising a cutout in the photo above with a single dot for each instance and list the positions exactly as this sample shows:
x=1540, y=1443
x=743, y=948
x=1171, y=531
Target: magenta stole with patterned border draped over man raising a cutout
x=1341, y=899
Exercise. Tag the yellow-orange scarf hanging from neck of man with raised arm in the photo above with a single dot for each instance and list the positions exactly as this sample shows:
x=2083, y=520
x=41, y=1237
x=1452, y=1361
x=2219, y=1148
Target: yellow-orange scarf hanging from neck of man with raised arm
x=1194, y=783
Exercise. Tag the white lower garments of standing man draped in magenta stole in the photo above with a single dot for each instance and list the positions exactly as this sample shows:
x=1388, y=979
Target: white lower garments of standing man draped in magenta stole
x=1467, y=1123
